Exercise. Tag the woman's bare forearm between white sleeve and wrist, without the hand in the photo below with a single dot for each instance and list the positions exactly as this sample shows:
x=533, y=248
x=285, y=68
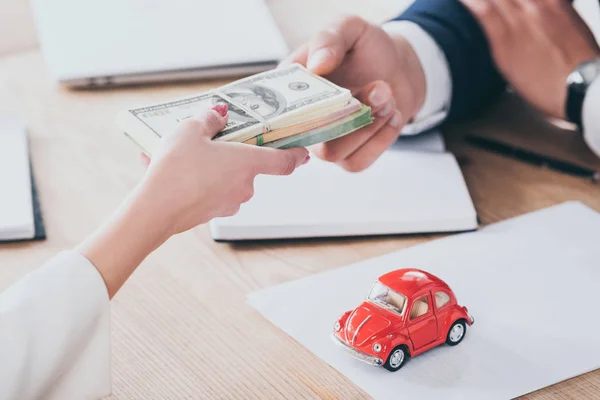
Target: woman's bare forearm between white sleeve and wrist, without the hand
x=120, y=246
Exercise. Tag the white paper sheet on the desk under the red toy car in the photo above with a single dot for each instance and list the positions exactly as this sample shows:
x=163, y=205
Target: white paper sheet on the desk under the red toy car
x=531, y=283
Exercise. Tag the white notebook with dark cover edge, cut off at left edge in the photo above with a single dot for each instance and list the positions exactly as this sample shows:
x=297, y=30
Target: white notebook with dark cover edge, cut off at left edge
x=20, y=217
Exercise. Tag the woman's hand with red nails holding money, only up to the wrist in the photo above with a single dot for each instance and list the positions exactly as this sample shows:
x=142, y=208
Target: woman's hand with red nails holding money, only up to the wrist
x=192, y=179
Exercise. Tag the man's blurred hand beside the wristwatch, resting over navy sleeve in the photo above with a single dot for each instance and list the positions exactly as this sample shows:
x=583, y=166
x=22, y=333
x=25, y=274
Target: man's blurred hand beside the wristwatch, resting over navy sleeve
x=536, y=44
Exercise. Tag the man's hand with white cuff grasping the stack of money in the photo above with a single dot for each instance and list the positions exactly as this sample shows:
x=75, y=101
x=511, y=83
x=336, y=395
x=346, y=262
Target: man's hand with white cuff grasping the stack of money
x=381, y=71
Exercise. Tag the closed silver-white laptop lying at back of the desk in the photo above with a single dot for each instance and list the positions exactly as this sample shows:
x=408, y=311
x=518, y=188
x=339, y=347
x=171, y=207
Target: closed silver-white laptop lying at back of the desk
x=121, y=42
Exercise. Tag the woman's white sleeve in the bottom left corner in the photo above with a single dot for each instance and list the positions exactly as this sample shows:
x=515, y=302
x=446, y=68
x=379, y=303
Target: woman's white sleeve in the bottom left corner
x=55, y=333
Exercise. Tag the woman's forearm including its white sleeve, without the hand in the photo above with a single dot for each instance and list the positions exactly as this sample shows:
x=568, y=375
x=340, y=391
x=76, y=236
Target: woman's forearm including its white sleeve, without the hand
x=54, y=323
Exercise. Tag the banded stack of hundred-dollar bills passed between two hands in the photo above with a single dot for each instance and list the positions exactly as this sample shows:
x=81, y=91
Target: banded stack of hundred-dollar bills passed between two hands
x=281, y=108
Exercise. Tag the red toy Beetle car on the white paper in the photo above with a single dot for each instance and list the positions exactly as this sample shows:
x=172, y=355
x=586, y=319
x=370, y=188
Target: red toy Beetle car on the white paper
x=406, y=312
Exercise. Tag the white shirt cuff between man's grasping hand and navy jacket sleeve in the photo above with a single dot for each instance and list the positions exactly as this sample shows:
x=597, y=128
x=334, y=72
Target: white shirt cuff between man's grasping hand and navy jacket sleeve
x=437, y=76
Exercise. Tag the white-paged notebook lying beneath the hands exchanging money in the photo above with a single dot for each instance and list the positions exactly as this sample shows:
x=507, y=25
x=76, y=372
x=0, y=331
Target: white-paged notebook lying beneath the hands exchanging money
x=414, y=187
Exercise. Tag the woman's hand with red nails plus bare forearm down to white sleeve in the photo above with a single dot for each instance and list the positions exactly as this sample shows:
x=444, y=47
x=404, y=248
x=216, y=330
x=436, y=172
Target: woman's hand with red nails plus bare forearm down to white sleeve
x=190, y=180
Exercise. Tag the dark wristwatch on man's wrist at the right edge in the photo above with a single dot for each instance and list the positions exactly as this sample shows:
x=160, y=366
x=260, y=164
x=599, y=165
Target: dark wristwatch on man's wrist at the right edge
x=578, y=83
